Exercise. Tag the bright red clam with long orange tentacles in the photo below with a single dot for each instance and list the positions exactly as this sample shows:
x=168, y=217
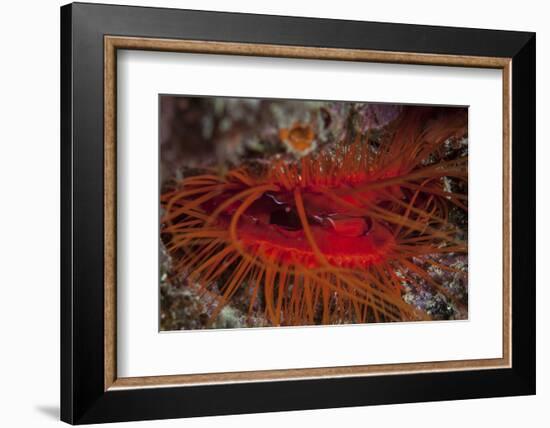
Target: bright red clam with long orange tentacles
x=332, y=237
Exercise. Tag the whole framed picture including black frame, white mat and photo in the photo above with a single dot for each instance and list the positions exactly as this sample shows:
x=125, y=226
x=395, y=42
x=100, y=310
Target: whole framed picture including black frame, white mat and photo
x=265, y=213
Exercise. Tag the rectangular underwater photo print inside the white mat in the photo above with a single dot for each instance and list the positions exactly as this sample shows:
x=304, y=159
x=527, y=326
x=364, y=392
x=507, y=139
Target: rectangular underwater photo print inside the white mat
x=280, y=212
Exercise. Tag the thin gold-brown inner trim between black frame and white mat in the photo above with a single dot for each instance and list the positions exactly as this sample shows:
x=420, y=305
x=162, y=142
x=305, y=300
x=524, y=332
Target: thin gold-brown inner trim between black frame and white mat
x=113, y=43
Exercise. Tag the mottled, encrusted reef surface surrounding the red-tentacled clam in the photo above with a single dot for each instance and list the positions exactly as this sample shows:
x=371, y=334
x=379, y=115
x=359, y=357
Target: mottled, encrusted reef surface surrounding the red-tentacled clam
x=201, y=132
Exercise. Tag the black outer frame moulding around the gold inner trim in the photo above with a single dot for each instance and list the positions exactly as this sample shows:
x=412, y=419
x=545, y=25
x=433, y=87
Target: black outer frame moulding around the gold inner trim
x=83, y=397
